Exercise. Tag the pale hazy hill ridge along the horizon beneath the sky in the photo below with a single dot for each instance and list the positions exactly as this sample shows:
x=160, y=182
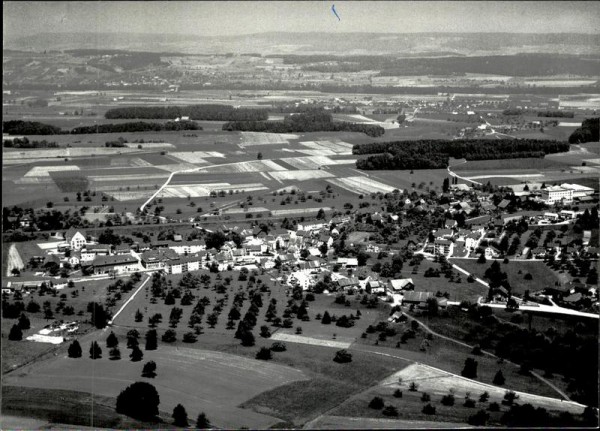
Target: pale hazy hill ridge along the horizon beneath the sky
x=319, y=43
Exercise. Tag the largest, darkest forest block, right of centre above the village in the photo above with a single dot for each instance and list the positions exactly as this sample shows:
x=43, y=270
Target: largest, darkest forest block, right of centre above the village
x=435, y=154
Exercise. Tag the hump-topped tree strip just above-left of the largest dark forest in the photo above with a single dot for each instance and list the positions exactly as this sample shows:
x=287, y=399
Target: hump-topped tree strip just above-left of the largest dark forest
x=313, y=121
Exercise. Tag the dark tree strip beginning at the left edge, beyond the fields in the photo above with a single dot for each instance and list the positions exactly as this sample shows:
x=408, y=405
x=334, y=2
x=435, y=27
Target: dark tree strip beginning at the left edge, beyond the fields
x=18, y=127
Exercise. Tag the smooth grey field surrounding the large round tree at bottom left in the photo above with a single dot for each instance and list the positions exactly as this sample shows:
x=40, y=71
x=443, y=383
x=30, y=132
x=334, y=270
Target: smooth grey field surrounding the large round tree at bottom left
x=201, y=380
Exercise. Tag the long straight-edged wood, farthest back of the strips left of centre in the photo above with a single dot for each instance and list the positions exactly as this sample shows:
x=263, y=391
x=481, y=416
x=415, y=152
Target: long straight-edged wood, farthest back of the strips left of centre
x=194, y=112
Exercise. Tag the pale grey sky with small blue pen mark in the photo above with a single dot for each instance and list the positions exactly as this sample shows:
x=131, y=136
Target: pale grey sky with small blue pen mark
x=245, y=17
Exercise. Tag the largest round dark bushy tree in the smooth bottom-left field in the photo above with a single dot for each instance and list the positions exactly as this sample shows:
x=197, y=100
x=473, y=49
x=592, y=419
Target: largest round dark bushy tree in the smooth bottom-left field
x=139, y=400
